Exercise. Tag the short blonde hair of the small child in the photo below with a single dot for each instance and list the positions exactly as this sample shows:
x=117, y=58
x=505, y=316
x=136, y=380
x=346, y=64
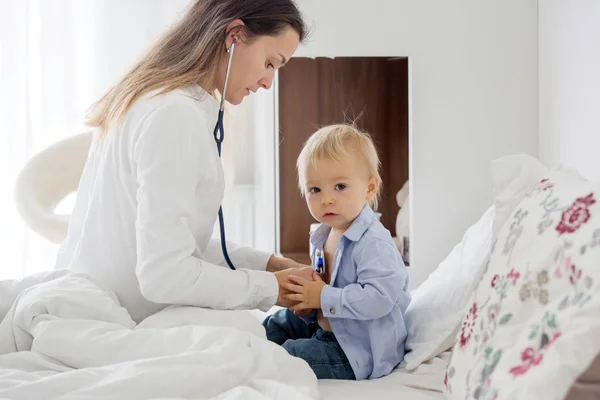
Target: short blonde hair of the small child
x=335, y=142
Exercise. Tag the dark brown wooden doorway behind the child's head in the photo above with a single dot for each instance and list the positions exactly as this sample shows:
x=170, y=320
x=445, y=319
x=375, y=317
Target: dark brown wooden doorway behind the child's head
x=322, y=91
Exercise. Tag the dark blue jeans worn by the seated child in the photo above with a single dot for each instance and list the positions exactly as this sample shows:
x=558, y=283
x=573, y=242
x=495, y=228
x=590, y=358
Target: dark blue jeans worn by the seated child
x=319, y=348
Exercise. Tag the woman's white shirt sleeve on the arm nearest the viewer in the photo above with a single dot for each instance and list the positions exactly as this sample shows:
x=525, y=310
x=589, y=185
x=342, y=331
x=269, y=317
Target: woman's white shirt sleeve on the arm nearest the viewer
x=173, y=172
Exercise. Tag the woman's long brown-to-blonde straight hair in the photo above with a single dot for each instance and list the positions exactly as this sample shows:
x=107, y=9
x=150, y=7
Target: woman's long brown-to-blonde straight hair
x=191, y=51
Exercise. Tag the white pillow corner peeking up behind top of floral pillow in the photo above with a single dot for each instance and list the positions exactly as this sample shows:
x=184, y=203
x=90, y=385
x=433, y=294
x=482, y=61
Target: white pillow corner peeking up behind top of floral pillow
x=513, y=177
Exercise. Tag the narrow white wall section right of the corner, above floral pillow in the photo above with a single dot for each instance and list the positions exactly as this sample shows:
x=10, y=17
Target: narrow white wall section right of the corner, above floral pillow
x=569, y=85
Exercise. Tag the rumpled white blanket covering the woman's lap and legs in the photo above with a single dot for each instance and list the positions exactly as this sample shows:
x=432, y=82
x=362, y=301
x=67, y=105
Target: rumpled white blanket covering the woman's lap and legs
x=69, y=339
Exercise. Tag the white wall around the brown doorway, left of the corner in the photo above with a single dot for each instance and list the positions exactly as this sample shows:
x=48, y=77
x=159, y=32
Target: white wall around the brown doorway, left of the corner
x=473, y=93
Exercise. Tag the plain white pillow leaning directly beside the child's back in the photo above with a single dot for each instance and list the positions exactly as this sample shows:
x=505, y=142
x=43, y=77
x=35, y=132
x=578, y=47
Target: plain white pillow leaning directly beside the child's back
x=437, y=305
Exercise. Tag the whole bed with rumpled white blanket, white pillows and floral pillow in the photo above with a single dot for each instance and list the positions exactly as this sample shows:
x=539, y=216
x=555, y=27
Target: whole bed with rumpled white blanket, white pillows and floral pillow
x=516, y=300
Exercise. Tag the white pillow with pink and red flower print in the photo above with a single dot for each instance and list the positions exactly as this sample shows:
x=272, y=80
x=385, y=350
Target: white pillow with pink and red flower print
x=533, y=324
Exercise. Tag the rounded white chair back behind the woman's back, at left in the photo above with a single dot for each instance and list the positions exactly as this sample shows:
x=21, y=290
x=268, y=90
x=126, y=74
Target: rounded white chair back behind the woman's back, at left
x=46, y=180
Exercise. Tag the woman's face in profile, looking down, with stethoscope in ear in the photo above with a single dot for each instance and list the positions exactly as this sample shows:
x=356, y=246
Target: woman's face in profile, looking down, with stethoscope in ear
x=254, y=63
